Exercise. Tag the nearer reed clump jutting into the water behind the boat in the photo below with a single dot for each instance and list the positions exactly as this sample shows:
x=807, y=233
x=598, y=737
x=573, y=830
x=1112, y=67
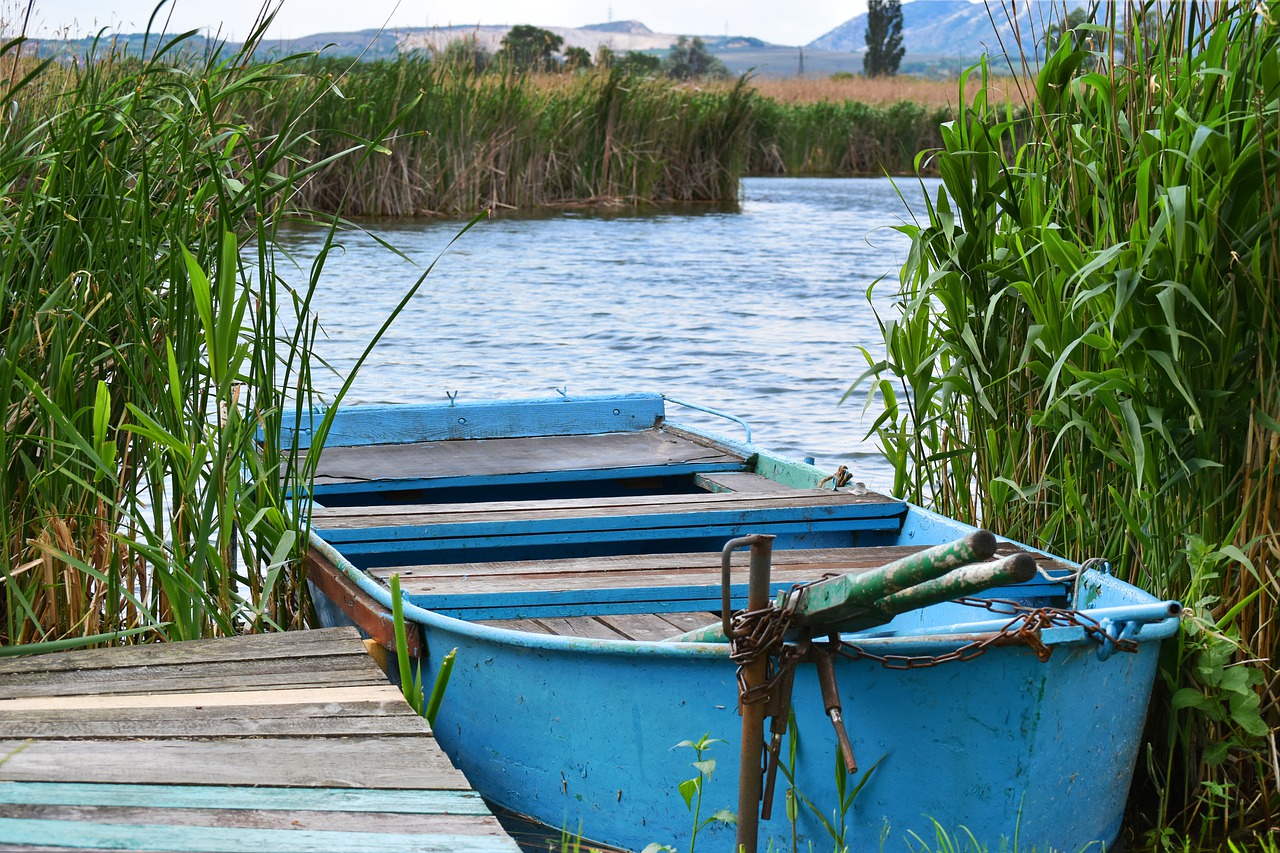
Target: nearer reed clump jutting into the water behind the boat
x=504, y=140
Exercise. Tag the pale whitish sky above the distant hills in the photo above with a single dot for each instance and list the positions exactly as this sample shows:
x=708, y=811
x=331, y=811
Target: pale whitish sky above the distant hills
x=784, y=22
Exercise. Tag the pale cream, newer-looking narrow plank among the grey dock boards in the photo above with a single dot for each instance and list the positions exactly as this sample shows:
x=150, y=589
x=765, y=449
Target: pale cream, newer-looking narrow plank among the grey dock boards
x=383, y=694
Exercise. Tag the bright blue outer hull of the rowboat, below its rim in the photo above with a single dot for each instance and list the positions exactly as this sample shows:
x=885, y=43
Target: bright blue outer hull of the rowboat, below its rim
x=583, y=735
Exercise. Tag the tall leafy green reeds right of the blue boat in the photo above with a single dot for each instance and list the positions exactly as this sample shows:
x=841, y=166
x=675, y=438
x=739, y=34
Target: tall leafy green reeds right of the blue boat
x=1085, y=358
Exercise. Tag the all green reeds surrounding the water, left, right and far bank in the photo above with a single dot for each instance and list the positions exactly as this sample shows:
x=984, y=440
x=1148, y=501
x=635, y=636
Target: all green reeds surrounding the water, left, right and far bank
x=1086, y=355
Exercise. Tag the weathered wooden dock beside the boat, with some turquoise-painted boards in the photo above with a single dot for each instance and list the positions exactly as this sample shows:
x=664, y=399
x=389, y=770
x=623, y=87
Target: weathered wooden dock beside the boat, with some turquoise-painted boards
x=284, y=742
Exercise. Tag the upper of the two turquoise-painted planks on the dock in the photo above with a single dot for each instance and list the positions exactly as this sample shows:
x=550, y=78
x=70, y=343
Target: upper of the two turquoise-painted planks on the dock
x=223, y=797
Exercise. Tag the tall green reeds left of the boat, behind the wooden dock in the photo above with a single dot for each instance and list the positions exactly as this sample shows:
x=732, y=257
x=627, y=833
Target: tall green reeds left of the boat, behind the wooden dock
x=148, y=341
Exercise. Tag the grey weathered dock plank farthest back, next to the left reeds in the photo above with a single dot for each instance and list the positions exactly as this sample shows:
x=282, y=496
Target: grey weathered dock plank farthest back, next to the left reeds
x=323, y=642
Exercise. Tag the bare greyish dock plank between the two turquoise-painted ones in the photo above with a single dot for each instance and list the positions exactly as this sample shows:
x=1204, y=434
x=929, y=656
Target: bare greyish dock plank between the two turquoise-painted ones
x=464, y=825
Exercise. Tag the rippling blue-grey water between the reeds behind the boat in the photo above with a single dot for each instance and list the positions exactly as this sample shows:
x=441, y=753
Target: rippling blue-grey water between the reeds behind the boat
x=758, y=311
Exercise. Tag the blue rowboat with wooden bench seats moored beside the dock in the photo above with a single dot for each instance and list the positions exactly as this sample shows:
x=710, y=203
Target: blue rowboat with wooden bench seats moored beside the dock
x=561, y=545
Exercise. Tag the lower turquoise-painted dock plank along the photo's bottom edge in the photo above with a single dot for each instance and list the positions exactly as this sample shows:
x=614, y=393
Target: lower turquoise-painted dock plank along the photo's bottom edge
x=223, y=840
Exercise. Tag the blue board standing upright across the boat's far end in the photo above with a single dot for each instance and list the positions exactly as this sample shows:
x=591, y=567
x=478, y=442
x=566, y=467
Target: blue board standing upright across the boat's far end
x=502, y=419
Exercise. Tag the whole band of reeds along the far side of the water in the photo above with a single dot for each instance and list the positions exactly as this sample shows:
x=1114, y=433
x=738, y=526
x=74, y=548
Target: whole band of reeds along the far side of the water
x=515, y=142
